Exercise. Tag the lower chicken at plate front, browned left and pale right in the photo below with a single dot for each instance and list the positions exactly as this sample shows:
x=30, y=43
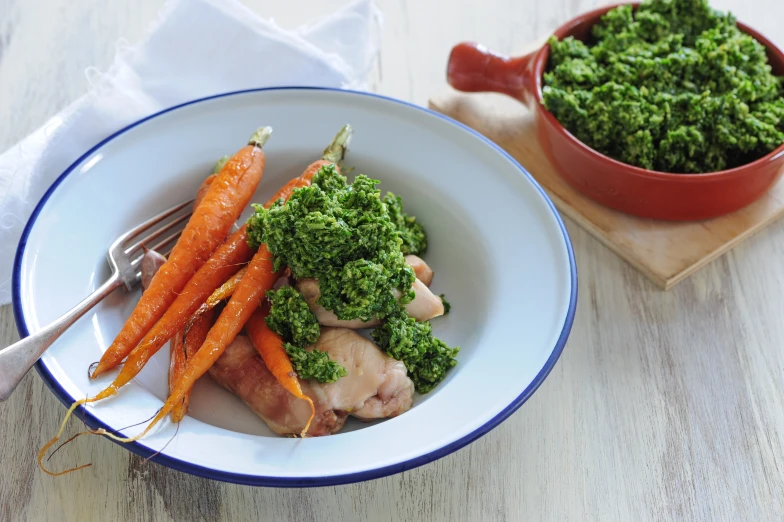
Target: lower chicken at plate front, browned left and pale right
x=376, y=386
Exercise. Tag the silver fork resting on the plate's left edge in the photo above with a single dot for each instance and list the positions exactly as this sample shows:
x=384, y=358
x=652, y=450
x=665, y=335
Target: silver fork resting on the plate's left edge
x=124, y=258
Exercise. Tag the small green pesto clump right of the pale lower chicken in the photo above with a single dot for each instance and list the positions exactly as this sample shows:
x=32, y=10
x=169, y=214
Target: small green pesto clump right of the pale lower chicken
x=427, y=358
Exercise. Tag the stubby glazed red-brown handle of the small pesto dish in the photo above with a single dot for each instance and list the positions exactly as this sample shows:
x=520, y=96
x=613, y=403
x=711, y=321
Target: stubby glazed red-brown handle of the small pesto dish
x=474, y=68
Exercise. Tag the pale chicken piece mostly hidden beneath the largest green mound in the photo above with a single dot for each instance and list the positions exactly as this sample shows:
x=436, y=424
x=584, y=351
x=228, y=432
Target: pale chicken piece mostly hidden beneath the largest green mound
x=424, y=307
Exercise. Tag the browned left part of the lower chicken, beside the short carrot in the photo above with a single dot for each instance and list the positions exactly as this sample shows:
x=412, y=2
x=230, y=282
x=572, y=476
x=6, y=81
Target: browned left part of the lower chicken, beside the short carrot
x=241, y=371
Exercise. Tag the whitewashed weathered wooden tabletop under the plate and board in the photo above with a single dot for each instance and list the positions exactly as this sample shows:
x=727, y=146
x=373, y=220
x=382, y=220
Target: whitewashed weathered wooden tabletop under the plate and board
x=664, y=406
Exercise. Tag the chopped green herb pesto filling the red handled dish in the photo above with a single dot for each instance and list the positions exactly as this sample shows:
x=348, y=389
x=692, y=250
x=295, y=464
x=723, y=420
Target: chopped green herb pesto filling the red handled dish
x=674, y=86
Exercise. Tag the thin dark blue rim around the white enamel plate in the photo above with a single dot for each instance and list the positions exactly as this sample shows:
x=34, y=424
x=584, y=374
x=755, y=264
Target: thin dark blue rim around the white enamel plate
x=271, y=481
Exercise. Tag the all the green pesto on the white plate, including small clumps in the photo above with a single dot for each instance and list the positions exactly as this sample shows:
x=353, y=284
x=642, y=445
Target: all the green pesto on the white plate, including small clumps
x=352, y=241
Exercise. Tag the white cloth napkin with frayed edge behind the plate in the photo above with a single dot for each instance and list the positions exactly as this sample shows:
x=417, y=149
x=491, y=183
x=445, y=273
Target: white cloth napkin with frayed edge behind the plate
x=195, y=48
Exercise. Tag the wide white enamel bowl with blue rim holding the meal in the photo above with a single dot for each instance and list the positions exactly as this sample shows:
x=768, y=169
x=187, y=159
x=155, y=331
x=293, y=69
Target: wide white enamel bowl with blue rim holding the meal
x=499, y=249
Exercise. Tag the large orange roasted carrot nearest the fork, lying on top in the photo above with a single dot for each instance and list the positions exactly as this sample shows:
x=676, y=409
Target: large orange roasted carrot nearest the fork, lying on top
x=226, y=198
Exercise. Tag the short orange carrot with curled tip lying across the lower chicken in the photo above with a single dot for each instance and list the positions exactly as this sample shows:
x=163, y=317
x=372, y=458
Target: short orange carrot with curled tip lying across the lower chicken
x=270, y=347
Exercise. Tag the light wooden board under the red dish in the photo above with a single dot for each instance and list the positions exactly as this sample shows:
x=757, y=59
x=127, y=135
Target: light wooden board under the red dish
x=665, y=252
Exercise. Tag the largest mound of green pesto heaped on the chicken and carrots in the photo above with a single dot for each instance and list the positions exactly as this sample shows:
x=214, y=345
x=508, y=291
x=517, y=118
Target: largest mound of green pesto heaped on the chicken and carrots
x=342, y=236
